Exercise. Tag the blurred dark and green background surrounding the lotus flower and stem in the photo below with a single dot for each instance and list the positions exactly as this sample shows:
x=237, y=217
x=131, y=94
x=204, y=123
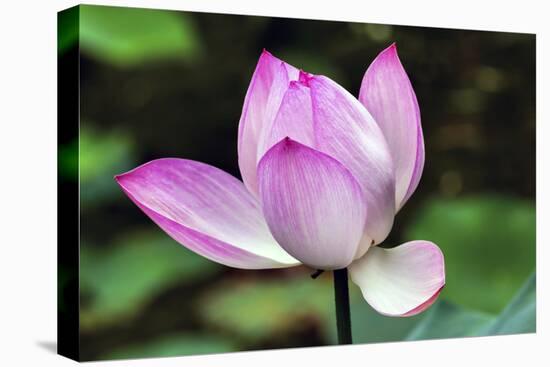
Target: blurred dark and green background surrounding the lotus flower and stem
x=171, y=84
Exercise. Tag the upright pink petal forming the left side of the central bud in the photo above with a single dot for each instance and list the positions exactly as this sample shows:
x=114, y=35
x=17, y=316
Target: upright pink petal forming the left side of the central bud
x=266, y=89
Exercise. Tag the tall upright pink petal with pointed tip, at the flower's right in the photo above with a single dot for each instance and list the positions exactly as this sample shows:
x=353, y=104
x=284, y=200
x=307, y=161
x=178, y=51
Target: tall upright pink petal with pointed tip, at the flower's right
x=388, y=95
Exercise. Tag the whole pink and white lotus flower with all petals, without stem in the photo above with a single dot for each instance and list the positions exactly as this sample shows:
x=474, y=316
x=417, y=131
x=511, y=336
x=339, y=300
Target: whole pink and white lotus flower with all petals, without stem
x=324, y=175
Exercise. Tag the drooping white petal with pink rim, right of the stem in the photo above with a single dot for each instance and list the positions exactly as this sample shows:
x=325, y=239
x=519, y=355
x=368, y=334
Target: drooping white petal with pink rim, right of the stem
x=401, y=281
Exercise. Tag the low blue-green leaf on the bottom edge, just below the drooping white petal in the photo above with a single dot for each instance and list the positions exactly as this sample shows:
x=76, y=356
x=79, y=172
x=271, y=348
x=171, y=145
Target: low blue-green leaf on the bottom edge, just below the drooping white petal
x=445, y=320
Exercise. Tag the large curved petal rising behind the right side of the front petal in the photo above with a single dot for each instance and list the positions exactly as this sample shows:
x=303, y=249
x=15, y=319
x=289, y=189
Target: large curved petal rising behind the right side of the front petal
x=345, y=130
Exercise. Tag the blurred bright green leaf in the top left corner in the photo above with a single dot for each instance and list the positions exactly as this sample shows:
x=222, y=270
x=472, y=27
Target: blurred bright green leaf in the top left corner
x=129, y=36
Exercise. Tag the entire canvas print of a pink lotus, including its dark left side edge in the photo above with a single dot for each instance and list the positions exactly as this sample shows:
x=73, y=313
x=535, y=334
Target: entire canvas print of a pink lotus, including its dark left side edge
x=235, y=183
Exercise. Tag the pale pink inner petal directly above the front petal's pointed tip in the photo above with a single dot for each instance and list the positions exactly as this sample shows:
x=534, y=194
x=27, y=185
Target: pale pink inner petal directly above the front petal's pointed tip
x=294, y=119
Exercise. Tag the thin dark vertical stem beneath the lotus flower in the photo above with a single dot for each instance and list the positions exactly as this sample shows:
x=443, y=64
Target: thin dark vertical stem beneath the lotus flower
x=341, y=298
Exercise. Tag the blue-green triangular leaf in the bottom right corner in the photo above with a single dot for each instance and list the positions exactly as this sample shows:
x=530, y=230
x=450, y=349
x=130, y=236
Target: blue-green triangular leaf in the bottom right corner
x=519, y=316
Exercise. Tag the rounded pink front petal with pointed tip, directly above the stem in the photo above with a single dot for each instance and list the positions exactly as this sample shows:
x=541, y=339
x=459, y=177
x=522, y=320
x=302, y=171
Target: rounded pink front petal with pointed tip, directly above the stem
x=313, y=205
